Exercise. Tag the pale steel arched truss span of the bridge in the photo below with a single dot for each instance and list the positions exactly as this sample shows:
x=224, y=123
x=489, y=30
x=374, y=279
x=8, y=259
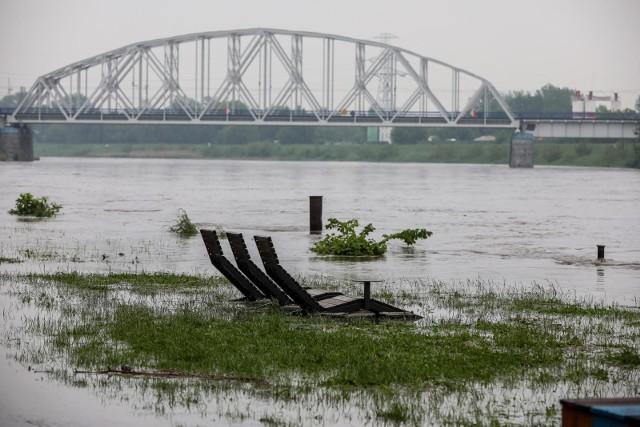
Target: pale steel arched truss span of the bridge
x=265, y=77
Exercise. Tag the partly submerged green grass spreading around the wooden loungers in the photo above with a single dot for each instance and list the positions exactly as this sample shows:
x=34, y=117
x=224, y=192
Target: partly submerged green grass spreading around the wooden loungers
x=485, y=339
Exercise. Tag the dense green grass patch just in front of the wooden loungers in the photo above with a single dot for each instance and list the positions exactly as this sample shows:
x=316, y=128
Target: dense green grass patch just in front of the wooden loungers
x=350, y=356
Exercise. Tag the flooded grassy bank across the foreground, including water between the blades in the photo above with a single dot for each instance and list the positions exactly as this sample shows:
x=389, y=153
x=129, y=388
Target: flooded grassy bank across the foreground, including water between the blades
x=519, y=360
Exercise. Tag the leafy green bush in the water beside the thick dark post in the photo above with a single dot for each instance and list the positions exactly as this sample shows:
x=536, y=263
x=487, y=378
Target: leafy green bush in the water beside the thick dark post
x=349, y=243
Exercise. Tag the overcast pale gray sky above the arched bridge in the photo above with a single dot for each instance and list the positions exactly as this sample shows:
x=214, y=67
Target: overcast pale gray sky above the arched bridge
x=517, y=45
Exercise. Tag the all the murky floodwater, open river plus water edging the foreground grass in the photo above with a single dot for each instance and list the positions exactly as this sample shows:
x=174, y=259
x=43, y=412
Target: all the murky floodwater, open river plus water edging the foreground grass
x=512, y=228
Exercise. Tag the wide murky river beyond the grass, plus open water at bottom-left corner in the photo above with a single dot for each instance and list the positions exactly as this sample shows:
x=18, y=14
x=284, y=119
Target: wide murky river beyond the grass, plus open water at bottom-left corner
x=514, y=226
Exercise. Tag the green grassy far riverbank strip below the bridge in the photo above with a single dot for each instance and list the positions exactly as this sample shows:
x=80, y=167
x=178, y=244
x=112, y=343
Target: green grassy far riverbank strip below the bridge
x=619, y=154
